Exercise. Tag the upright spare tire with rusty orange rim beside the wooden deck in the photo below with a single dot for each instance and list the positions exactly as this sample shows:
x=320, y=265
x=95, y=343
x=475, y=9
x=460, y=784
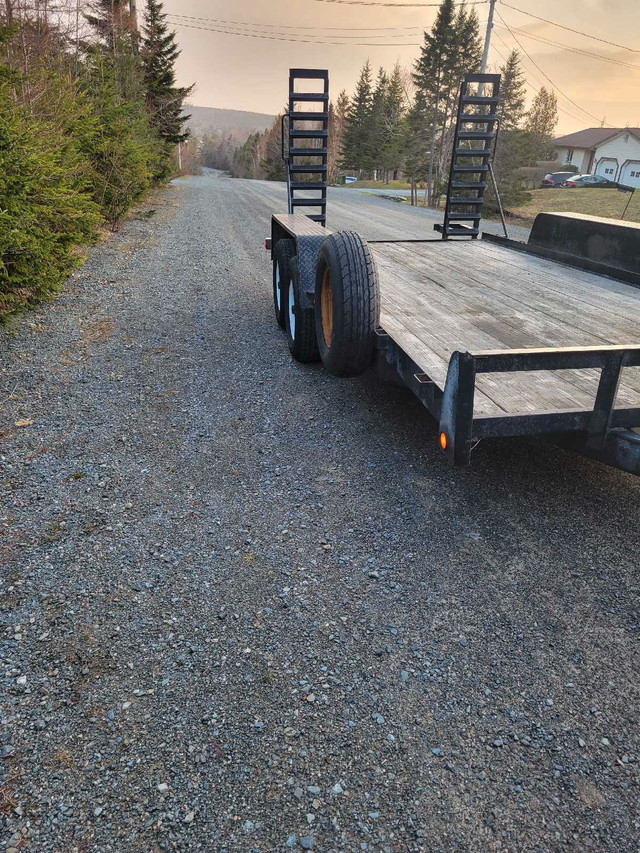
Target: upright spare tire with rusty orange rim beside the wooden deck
x=353, y=300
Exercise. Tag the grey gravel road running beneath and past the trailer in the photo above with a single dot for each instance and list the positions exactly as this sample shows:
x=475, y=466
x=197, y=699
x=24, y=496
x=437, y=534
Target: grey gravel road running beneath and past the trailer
x=249, y=607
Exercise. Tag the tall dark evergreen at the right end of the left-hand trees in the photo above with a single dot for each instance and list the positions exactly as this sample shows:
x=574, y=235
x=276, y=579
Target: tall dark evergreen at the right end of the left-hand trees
x=159, y=53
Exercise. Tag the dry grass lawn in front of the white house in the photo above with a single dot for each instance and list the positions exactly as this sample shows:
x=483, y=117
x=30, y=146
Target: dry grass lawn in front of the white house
x=609, y=203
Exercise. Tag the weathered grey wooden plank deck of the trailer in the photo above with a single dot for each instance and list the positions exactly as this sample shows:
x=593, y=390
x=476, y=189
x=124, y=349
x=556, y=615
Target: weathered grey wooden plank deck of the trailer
x=474, y=296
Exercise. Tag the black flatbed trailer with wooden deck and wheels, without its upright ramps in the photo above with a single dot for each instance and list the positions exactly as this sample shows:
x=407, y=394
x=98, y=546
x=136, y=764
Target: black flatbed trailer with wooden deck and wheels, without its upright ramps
x=493, y=340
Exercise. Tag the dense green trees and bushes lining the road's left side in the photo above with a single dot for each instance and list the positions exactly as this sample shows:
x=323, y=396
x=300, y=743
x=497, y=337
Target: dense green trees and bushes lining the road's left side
x=90, y=115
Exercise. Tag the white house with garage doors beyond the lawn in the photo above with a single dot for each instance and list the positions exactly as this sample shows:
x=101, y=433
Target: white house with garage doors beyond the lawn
x=613, y=152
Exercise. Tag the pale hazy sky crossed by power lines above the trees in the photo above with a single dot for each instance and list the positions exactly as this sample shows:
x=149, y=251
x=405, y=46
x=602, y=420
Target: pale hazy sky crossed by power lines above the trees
x=243, y=73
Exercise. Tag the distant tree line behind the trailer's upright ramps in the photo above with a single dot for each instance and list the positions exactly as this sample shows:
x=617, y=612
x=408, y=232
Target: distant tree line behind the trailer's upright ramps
x=401, y=122
